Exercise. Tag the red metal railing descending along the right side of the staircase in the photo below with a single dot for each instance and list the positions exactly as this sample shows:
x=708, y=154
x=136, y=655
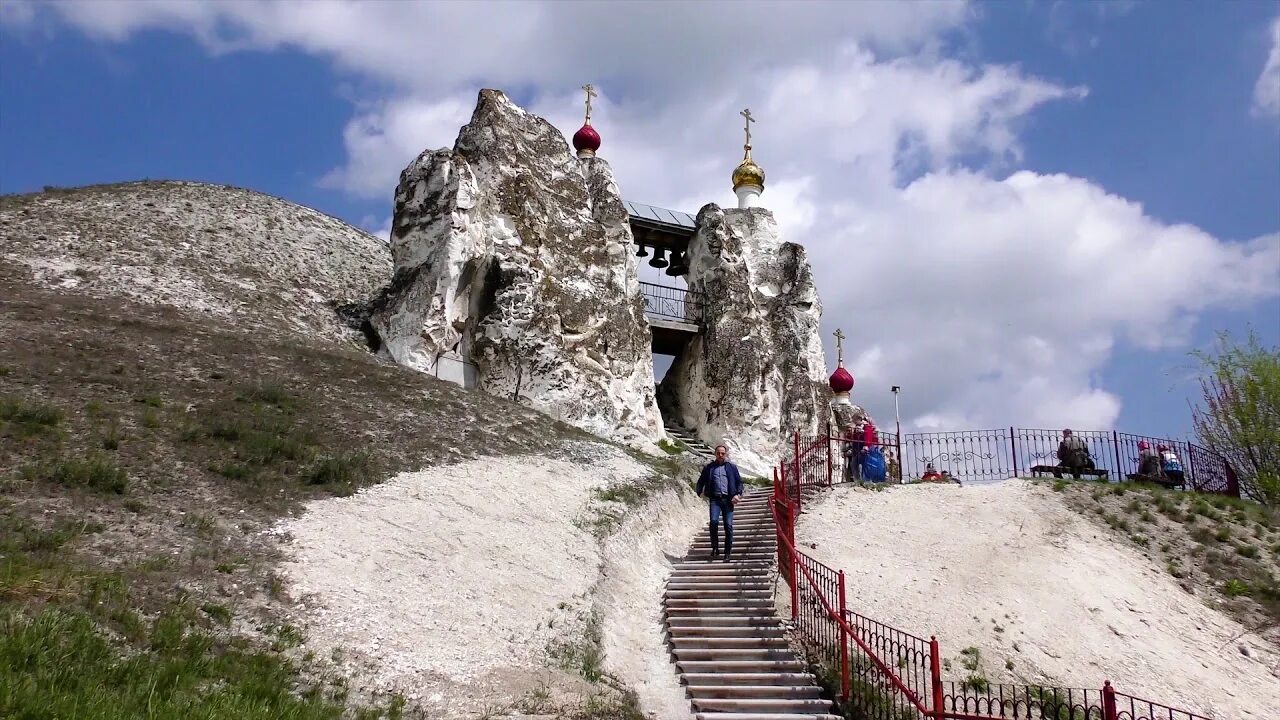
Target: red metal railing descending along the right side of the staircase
x=881, y=673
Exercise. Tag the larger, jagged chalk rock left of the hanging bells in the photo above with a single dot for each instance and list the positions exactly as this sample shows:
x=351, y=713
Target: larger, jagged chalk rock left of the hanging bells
x=515, y=256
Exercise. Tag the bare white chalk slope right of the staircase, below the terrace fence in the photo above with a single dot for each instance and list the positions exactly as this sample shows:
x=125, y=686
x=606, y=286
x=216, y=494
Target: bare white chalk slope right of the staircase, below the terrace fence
x=1080, y=607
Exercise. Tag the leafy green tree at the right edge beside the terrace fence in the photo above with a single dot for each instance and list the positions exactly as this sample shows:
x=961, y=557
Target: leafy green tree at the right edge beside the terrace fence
x=1241, y=413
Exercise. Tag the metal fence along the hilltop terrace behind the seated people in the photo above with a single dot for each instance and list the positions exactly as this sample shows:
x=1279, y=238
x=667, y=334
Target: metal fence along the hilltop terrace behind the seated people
x=1004, y=453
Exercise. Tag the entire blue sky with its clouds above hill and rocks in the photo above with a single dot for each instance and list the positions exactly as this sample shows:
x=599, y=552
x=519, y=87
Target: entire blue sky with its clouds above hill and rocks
x=1146, y=115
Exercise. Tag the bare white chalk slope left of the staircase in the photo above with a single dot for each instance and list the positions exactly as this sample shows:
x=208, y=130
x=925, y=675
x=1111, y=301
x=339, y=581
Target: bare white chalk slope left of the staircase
x=450, y=585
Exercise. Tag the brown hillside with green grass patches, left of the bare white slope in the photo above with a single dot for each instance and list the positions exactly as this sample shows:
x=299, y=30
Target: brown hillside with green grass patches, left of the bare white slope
x=144, y=452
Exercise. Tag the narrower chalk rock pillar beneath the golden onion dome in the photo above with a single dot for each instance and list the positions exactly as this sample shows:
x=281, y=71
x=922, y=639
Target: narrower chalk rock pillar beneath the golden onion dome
x=757, y=372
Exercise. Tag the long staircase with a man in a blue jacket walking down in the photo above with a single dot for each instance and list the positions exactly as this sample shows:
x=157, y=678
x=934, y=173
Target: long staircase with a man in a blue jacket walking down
x=724, y=632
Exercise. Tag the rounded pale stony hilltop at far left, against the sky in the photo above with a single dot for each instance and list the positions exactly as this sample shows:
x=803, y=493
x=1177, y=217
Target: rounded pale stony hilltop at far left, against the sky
x=232, y=253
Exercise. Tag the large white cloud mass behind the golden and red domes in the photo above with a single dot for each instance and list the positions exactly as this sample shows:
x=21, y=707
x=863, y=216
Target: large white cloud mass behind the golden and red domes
x=994, y=295
